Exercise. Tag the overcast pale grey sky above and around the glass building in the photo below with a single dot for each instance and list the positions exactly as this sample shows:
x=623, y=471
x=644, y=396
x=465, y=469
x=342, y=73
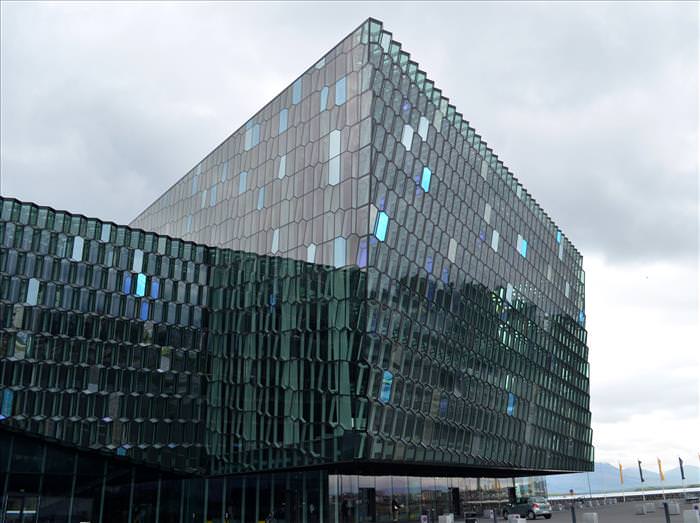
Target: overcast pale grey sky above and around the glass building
x=594, y=107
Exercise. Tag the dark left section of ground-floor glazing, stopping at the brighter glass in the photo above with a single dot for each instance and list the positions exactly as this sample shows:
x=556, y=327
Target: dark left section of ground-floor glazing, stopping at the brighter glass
x=46, y=483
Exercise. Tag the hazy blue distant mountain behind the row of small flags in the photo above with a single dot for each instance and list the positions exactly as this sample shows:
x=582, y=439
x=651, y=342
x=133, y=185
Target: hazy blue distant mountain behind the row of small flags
x=606, y=478
